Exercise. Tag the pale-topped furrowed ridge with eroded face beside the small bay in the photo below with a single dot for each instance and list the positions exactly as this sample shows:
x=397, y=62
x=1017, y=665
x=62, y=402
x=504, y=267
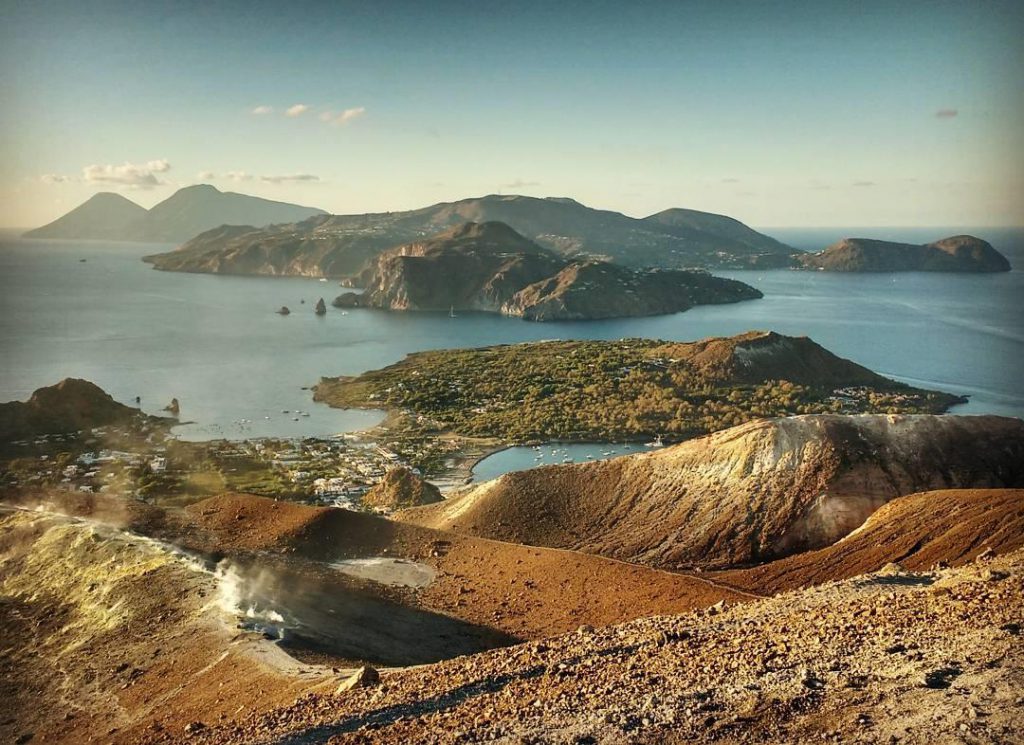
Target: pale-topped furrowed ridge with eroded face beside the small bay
x=755, y=493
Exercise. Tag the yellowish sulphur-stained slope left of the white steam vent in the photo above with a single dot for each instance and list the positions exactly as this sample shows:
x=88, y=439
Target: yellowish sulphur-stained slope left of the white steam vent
x=116, y=639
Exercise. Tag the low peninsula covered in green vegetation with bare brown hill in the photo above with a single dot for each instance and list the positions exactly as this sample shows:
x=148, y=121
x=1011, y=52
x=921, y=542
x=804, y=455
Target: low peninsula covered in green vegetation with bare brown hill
x=628, y=389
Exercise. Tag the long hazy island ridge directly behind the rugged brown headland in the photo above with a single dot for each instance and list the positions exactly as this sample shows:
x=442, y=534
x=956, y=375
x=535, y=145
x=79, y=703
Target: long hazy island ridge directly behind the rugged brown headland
x=340, y=245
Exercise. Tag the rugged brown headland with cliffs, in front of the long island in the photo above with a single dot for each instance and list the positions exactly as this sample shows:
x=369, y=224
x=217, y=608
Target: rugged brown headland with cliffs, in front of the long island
x=491, y=268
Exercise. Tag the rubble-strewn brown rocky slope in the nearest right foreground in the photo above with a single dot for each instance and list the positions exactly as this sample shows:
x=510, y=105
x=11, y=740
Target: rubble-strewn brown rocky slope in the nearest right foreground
x=894, y=656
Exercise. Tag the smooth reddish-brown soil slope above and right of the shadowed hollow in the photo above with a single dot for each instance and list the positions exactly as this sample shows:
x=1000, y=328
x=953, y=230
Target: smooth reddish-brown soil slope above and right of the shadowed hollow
x=525, y=592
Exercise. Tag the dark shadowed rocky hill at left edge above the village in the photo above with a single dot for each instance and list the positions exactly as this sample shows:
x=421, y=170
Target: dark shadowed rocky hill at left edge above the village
x=71, y=406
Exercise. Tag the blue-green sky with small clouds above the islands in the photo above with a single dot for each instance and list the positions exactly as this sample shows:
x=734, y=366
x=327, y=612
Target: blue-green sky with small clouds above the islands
x=780, y=114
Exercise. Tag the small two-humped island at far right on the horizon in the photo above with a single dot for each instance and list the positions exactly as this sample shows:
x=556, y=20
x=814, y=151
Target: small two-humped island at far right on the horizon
x=956, y=254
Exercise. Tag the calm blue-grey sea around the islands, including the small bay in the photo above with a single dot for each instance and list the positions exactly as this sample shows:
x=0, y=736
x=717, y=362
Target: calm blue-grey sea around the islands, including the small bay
x=239, y=370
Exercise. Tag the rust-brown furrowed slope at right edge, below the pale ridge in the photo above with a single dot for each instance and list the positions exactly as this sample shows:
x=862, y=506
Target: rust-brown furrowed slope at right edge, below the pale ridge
x=919, y=532
